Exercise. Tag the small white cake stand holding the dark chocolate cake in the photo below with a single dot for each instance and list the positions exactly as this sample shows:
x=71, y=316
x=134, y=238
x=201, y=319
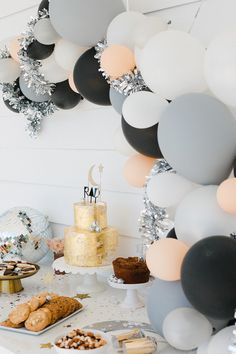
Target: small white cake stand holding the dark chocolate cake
x=132, y=299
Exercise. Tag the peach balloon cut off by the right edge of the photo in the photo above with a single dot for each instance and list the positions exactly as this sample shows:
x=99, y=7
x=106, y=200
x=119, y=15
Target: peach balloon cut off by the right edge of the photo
x=226, y=195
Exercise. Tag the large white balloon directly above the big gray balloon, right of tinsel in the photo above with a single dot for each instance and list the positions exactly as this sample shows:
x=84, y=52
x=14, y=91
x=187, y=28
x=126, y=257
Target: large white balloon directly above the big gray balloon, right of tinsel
x=172, y=64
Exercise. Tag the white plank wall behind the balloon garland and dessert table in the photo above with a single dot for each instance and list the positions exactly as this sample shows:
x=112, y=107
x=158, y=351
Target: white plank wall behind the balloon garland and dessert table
x=49, y=173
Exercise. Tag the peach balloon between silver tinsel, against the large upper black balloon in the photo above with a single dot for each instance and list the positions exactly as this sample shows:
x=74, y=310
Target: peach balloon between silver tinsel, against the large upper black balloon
x=117, y=60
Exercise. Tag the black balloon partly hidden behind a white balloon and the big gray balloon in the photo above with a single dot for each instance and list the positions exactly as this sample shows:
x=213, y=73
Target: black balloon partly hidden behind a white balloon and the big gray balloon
x=142, y=140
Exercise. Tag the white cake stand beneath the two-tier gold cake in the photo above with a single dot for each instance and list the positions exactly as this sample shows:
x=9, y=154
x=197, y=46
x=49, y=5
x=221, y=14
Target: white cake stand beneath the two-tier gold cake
x=90, y=283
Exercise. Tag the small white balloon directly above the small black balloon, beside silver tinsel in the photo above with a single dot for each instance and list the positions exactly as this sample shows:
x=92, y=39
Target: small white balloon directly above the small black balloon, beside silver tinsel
x=52, y=71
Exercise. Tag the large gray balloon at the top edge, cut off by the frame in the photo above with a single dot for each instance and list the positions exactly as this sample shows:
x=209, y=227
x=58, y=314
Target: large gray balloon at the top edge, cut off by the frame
x=83, y=22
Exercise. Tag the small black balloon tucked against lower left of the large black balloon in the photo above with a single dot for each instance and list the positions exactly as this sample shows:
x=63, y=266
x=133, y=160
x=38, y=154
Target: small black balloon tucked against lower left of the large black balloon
x=64, y=97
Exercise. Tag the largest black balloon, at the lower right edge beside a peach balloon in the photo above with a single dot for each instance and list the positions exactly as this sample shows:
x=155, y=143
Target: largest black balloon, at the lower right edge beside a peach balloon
x=208, y=276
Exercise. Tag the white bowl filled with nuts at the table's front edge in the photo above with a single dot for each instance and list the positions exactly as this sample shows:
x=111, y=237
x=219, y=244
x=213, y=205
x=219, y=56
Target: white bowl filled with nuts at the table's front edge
x=83, y=340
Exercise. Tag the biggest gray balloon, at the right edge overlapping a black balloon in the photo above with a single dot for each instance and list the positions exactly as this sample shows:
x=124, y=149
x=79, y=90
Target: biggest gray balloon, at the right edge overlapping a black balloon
x=197, y=136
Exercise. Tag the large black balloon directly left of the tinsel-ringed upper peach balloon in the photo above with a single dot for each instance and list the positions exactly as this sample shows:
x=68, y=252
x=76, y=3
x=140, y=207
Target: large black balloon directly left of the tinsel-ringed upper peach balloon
x=89, y=80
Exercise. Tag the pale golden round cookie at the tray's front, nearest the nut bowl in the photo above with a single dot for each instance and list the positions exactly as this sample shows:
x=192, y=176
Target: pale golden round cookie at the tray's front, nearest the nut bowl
x=38, y=320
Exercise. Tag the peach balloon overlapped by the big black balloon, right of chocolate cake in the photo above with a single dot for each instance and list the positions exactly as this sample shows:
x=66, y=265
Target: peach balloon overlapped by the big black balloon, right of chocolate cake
x=165, y=257
